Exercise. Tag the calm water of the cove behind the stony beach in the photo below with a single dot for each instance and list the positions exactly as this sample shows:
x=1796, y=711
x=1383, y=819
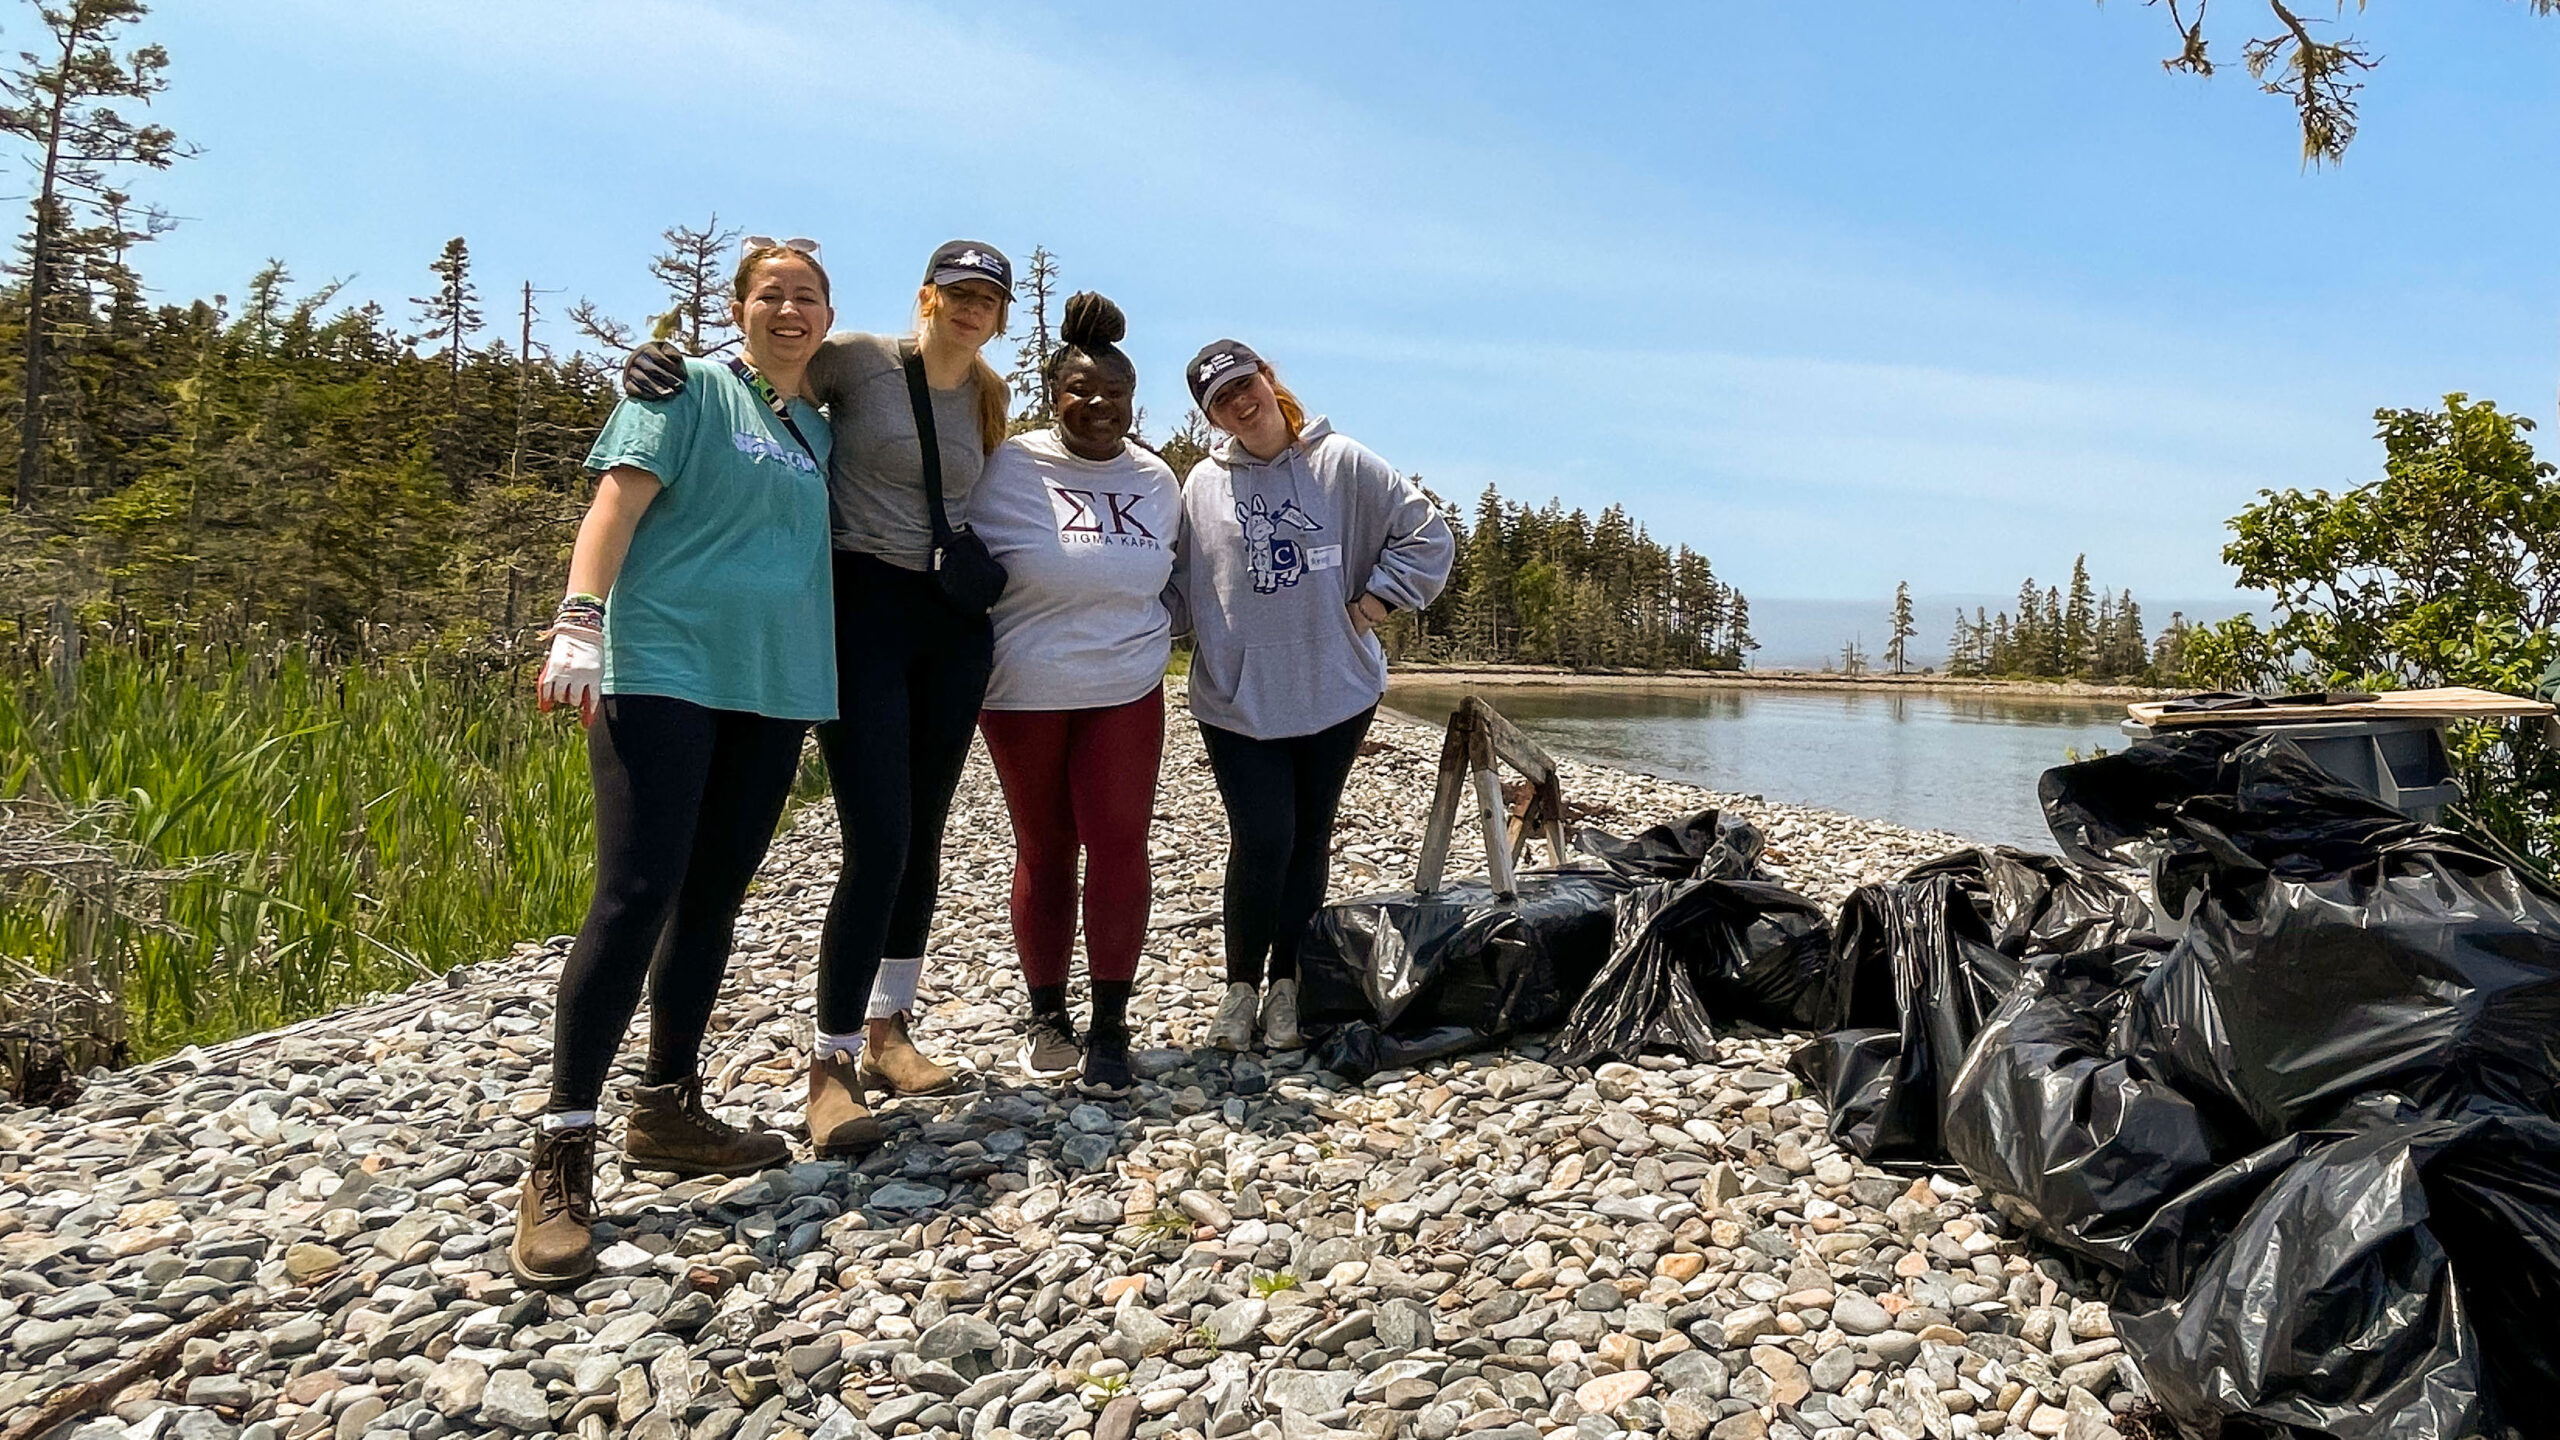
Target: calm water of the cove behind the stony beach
x=1932, y=762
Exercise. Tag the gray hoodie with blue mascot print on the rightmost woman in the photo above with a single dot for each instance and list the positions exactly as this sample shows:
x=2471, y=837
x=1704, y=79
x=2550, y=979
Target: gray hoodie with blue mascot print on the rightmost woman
x=1274, y=555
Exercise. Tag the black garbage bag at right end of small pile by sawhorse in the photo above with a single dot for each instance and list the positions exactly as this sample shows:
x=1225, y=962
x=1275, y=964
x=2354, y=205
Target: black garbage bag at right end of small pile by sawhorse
x=1699, y=952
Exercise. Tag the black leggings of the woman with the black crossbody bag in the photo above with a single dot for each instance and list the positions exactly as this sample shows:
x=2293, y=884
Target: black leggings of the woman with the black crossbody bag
x=910, y=675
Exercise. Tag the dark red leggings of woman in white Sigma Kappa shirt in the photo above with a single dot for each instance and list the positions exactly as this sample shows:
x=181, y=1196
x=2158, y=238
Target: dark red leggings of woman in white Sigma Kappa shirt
x=1079, y=780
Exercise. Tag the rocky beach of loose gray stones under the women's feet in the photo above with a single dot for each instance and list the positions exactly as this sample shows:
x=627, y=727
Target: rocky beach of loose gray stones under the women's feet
x=303, y=1234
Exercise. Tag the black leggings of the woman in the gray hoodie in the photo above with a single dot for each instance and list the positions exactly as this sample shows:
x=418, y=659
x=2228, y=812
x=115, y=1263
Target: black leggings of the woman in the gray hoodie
x=1281, y=801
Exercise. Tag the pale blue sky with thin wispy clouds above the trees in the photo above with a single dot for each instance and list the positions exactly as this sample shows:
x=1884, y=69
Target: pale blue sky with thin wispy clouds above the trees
x=1837, y=293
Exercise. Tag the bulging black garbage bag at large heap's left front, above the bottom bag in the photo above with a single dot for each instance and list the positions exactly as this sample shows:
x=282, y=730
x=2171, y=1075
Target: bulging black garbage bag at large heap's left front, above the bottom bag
x=2072, y=1141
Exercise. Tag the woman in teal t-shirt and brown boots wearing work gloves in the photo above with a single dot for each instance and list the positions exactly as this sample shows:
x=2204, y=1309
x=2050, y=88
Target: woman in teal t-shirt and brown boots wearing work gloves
x=698, y=647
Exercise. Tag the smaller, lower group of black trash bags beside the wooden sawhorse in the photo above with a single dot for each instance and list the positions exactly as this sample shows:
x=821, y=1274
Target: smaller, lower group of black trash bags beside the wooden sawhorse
x=1637, y=944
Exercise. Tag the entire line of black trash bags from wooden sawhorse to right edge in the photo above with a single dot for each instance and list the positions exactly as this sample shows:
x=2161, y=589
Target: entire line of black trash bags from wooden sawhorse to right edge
x=2277, y=1057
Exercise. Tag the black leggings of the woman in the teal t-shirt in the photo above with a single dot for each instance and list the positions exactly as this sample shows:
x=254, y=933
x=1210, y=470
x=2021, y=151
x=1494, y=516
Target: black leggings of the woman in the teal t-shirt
x=687, y=801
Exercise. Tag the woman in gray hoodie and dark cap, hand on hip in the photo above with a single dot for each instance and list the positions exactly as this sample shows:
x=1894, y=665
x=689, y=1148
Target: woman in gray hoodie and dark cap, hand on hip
x=1297, y=547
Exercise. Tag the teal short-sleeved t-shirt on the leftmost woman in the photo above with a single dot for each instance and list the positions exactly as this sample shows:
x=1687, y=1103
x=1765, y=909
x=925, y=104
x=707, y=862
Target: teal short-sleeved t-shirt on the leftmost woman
x=726, y=593
